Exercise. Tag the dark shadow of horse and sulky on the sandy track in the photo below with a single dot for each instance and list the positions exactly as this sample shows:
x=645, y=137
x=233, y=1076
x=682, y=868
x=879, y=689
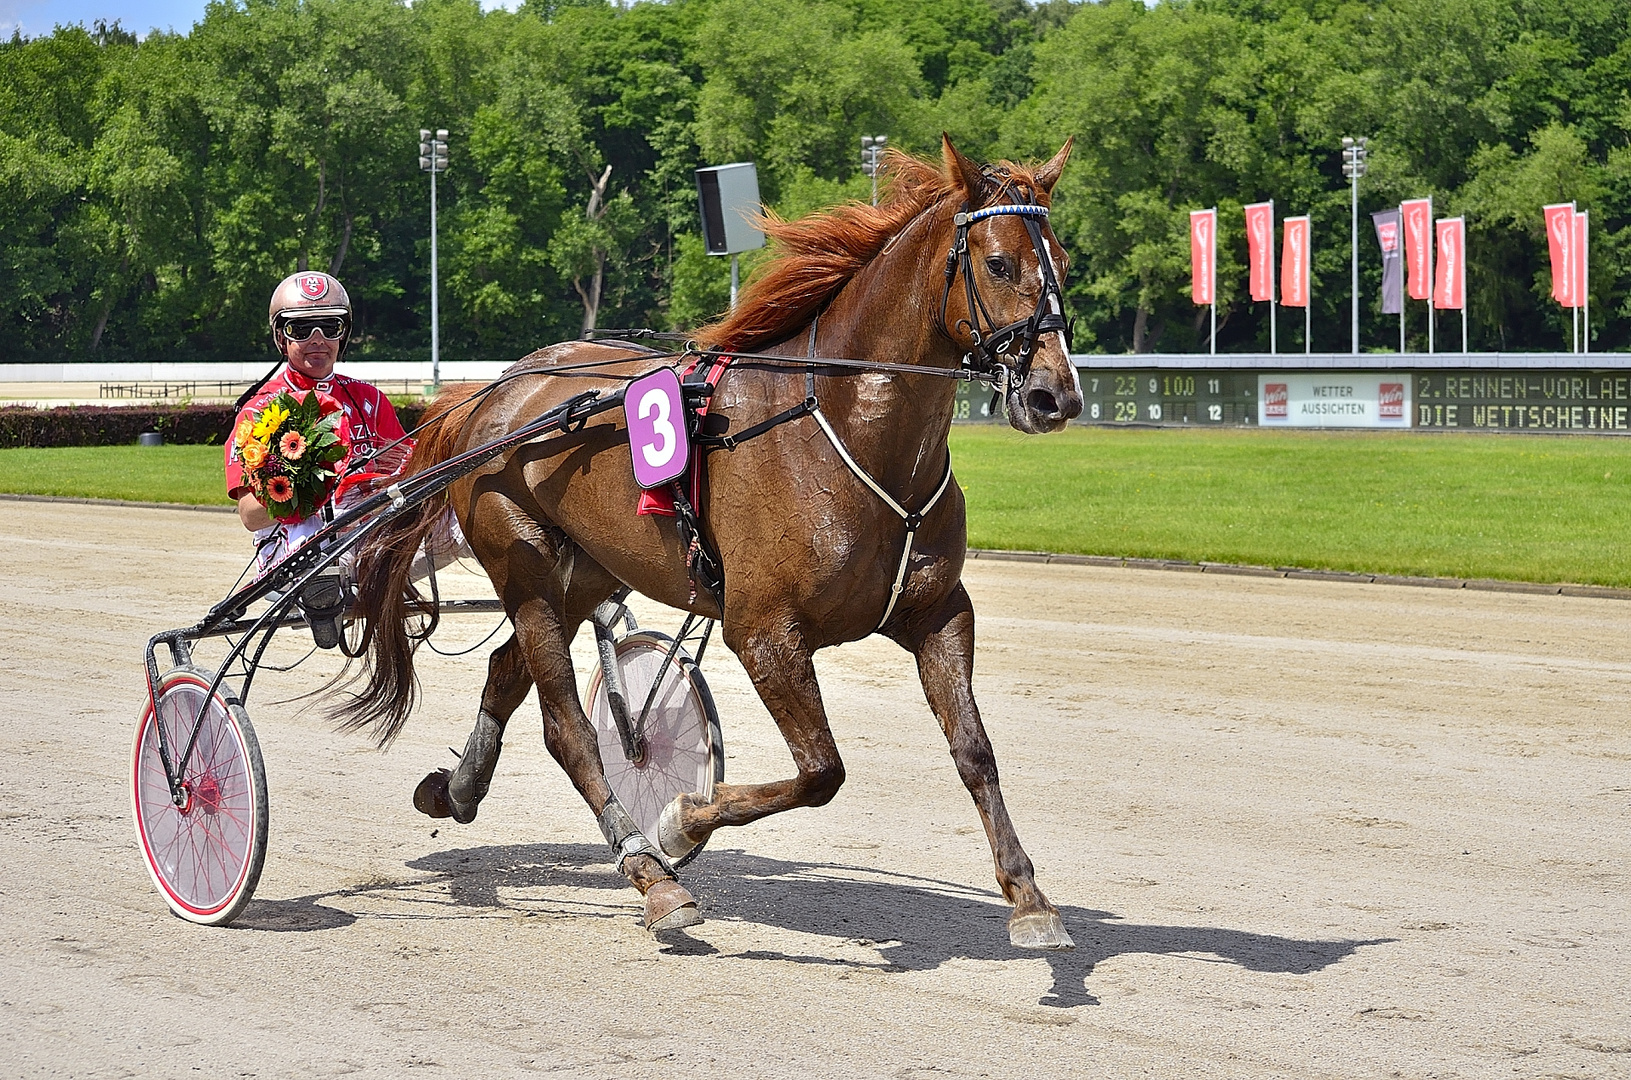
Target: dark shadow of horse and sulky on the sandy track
x=914, y=924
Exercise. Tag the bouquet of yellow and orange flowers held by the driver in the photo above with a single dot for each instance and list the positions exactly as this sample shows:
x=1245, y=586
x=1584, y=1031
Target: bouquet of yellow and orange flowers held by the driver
x=290, y=451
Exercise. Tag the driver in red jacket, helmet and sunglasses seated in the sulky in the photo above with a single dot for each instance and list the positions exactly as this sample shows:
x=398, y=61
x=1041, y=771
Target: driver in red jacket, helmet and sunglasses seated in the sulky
x=311, y=322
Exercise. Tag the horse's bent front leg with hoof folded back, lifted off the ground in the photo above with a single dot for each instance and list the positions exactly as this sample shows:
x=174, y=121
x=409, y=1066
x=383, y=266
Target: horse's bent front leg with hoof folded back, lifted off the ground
x=782, y=671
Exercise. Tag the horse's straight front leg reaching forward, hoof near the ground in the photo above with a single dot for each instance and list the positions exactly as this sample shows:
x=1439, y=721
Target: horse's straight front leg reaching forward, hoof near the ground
x=942, y=639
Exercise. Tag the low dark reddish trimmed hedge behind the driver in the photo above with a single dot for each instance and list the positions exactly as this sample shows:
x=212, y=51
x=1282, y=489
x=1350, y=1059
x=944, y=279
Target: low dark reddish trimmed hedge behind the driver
x=122, y=425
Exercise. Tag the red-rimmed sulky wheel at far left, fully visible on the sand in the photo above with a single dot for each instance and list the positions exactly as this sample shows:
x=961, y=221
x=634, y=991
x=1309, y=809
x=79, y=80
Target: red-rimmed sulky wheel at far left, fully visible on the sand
x=206, y=854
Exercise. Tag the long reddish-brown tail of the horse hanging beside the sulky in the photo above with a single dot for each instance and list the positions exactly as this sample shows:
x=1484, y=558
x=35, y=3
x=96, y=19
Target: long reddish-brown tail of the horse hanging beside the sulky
x=386, y=595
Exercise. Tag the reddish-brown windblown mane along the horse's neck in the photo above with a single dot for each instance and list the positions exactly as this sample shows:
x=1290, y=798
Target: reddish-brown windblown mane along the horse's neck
x=820, y=254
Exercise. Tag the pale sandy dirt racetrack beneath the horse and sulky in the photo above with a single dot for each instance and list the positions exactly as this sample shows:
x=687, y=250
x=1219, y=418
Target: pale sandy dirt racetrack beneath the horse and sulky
x=1297, y=830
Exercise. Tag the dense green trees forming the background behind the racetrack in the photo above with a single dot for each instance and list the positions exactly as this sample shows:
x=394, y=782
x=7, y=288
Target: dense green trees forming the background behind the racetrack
x=159, y=188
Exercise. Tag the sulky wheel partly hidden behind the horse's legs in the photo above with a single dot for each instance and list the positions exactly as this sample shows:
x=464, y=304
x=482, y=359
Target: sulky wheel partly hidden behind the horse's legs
x=684, y=745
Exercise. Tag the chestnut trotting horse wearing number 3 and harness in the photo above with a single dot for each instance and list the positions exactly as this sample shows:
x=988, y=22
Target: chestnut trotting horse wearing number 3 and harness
x=811, y=554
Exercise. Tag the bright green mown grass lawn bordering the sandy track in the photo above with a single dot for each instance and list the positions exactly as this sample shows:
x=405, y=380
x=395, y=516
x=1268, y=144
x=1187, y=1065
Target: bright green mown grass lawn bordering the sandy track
x=1526, y=508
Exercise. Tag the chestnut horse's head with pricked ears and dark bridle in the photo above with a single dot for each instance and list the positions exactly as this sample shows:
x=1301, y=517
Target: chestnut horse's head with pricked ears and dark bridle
x=1004, y=301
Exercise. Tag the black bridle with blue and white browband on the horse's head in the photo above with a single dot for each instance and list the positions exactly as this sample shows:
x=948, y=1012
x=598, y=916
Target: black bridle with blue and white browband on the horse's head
x=994, y=347
